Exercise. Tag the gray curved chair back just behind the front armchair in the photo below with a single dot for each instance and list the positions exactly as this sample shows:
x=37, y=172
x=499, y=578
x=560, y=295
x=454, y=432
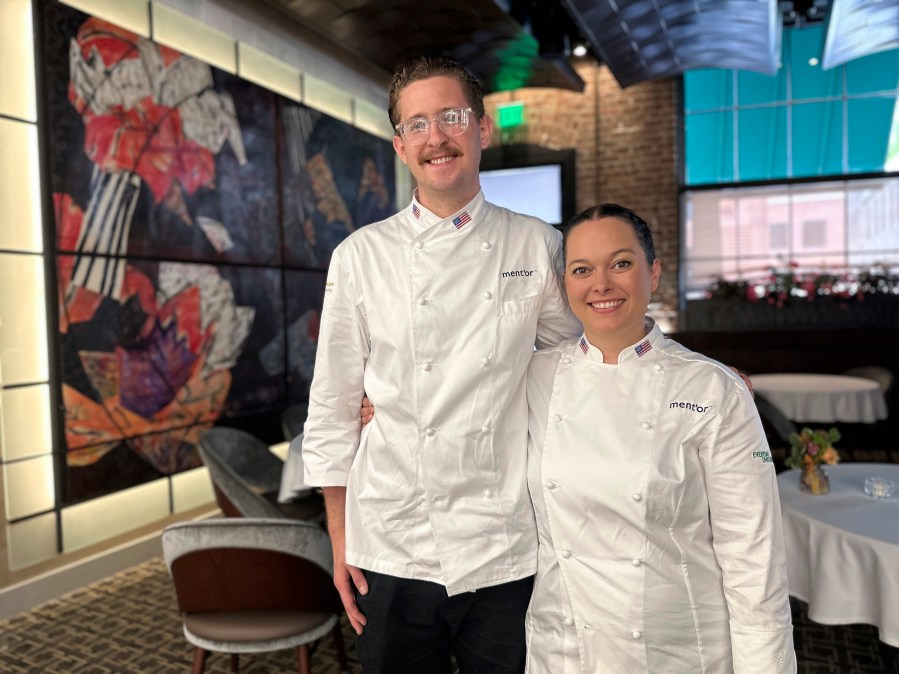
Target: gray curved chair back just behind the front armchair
x=243, y=471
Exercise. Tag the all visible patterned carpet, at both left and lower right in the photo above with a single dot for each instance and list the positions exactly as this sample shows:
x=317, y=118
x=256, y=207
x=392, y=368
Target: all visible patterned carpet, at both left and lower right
x=127, y=624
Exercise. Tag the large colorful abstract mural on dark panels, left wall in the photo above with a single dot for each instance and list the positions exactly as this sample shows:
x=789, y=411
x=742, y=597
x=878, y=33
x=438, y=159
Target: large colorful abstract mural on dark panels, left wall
x=195, y=214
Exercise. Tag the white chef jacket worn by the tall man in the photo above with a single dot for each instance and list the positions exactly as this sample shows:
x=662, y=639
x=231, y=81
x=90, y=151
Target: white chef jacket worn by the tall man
x=436, y=320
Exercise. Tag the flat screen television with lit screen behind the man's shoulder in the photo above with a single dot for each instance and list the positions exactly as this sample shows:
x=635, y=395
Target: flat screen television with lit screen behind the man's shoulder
x=531, y=179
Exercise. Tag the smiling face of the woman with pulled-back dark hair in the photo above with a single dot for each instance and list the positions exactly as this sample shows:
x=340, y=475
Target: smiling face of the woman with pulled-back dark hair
x=609, y=282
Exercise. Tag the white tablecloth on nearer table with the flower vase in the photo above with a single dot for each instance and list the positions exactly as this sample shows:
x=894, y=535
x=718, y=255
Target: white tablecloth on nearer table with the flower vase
x=843, y=548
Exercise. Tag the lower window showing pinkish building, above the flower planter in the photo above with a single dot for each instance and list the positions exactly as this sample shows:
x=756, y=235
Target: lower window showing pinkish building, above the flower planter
x=739, y=233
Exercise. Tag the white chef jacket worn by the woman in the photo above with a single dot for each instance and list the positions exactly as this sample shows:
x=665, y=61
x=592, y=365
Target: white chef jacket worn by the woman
x=661, y=546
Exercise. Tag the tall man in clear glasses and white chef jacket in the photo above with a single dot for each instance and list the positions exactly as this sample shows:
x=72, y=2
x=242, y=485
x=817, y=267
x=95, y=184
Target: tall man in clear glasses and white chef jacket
x=434, y=313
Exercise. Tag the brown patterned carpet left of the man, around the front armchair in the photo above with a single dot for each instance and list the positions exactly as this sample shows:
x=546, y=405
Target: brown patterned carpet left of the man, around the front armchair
x=128, y=624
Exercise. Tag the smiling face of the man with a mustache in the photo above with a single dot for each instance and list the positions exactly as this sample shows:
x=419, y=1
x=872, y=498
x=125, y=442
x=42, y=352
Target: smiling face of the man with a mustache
x=445, y=168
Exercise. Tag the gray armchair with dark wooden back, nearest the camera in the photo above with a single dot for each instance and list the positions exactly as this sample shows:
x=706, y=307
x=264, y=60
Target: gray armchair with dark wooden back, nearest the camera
x=252, y=585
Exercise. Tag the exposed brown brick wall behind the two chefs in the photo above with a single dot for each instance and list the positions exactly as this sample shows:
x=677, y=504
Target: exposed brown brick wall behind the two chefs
x=626, y=143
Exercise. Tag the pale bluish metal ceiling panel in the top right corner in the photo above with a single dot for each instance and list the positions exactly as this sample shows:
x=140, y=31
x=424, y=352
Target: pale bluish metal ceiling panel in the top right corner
x=857, y=28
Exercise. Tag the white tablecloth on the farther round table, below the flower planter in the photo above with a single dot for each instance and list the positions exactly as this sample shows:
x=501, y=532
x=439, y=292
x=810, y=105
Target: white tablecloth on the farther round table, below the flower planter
x=825, y=398
